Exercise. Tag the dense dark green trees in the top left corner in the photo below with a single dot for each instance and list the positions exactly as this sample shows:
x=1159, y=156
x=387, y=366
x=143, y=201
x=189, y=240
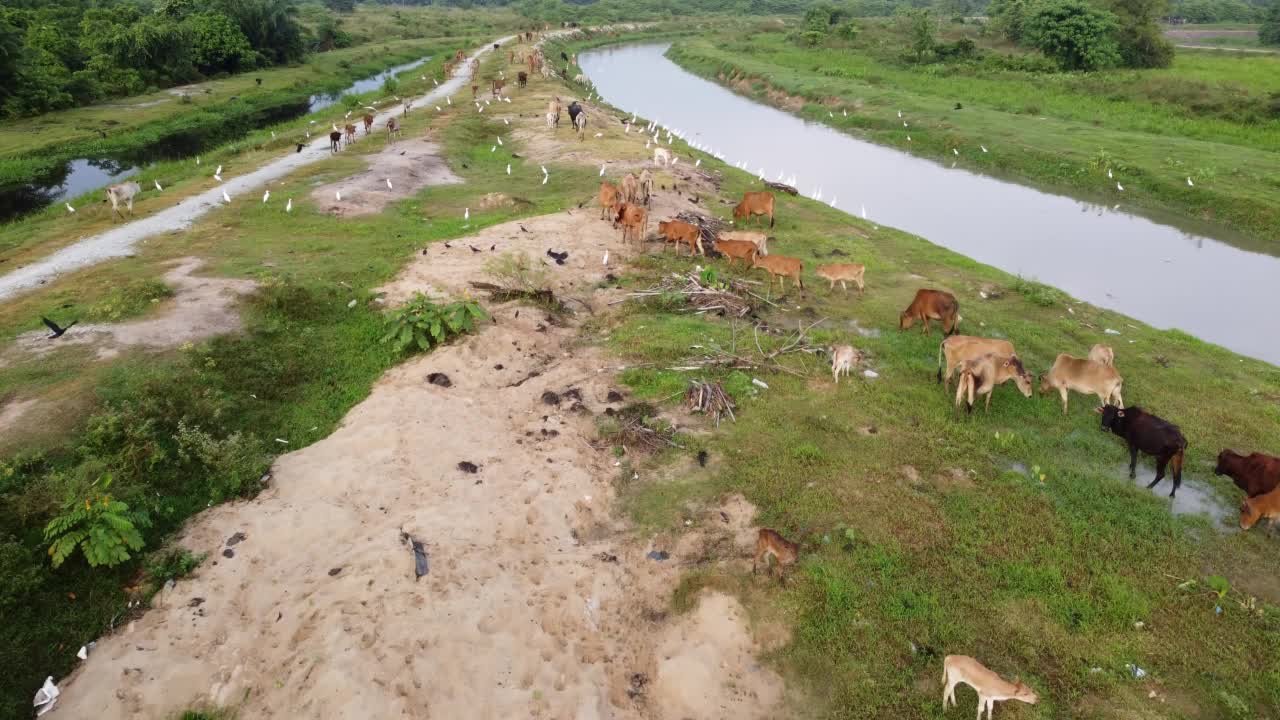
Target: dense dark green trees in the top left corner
x=67, y=53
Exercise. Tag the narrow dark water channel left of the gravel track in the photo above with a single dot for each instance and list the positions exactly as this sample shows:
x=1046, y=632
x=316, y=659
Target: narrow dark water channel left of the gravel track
x=85, y=175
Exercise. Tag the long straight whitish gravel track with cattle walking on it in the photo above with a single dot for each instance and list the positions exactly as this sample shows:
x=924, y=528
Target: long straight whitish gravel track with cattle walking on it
x=120, y=241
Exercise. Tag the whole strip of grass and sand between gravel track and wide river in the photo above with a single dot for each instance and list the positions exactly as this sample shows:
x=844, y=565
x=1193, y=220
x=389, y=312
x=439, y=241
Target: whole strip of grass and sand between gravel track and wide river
x=1012, y=536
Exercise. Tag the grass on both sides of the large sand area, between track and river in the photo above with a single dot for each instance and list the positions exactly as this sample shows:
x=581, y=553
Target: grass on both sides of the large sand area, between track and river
x=1039, y=555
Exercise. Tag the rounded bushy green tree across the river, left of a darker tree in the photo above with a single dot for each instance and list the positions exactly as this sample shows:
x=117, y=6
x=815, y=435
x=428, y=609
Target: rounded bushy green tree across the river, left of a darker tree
x=1073, y=33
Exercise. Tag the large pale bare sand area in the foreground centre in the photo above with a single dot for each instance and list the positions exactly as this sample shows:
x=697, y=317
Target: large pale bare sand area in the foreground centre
x=538, y=601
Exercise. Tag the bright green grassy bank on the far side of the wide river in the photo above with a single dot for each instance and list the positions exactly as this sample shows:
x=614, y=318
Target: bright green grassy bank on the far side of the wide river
x=1212, y=117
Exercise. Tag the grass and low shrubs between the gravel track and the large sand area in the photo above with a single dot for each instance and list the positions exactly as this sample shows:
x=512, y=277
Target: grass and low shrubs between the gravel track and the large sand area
x=195, y=426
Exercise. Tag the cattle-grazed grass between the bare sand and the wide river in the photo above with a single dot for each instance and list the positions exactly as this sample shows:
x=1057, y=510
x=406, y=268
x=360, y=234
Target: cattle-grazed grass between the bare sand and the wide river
x=1037, y=557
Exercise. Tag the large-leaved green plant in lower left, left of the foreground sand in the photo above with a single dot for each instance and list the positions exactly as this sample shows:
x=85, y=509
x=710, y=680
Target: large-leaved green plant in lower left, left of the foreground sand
x=106, y=531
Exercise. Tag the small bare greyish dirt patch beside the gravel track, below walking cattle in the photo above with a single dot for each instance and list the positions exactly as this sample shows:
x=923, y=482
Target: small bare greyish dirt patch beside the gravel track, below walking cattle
x=395, y=174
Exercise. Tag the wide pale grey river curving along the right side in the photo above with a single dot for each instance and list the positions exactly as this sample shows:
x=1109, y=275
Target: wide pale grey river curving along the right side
x=1155, y=272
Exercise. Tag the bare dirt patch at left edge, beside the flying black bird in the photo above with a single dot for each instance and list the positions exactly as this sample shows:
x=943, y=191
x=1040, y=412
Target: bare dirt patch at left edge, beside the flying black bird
x=202, y=308
